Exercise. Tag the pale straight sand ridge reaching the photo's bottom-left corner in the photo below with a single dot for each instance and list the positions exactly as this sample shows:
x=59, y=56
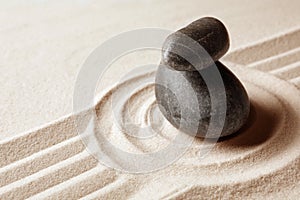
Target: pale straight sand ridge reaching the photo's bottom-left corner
x=49, y=177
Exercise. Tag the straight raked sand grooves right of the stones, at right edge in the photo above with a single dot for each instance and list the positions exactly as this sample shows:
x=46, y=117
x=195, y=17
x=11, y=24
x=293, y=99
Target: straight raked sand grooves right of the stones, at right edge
x=279, y=56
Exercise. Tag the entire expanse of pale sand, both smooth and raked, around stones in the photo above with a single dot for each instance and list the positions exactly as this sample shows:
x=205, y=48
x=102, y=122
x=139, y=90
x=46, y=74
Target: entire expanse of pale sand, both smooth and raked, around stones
x=51, y=161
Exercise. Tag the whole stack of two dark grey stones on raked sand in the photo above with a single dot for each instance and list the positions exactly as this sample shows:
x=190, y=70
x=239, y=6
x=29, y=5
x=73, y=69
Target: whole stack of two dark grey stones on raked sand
x=182, y=93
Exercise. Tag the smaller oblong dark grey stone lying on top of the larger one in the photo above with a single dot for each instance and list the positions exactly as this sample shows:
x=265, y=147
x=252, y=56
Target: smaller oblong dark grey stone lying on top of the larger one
x=196, y=46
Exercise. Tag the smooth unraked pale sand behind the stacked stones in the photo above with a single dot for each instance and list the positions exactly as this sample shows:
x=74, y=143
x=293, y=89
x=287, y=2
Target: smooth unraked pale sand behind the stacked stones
x=44, y=44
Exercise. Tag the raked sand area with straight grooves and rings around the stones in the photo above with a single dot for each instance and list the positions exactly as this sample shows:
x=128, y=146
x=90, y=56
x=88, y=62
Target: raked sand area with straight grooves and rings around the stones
x=52, y=162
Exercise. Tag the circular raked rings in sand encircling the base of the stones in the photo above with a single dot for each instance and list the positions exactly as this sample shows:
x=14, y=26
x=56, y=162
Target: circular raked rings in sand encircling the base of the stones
x=267, y=144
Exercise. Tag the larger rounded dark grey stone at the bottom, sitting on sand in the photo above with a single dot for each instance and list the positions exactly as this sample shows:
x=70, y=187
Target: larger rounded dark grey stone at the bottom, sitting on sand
x=174, y=91
